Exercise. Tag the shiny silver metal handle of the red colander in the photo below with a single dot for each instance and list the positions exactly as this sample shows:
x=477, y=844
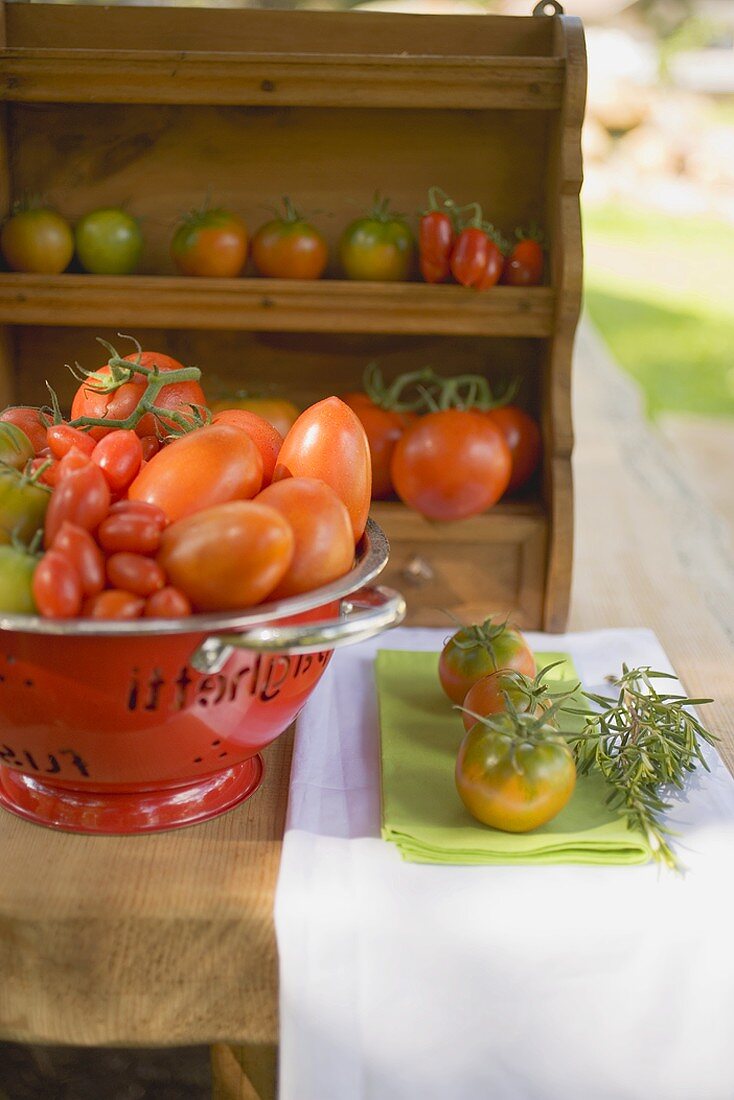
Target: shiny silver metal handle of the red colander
x=363, y=615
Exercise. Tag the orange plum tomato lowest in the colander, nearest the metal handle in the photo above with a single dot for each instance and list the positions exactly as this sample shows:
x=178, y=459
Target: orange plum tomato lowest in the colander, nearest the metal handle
x=228, y=557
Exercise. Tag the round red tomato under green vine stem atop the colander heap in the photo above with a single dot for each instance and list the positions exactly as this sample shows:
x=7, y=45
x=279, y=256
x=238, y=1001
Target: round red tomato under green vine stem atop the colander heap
x=119, y=404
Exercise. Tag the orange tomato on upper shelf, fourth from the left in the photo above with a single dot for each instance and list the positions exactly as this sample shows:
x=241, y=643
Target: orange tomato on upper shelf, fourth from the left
x=290, y=248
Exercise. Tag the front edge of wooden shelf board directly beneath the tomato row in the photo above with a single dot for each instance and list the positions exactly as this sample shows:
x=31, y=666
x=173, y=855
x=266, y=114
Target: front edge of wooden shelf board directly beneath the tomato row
x=267, y=305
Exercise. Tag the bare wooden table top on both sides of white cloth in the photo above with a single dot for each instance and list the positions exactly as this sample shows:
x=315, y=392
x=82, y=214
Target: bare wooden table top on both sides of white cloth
x=169, y=940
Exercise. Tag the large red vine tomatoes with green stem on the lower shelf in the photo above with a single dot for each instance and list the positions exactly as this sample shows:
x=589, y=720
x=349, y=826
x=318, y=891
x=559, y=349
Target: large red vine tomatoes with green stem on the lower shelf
x=452, y=453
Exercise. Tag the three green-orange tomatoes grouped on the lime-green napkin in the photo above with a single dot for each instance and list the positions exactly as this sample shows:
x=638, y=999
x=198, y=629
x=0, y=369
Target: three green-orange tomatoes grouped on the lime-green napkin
x=514, y=771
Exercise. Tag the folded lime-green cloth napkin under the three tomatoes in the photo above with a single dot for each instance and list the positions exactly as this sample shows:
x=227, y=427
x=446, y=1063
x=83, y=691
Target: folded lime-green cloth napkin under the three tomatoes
x=422, y=812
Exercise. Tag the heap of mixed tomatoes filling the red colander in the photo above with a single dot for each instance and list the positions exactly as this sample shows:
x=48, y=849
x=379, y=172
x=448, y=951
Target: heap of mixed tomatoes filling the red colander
x=144, y=503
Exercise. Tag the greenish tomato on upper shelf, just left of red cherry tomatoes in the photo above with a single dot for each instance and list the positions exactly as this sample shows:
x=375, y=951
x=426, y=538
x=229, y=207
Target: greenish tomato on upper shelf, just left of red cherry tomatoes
x=378, y=248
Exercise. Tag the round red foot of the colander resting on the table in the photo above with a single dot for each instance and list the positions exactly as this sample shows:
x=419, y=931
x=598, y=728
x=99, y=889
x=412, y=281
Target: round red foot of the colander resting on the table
x=83, y=810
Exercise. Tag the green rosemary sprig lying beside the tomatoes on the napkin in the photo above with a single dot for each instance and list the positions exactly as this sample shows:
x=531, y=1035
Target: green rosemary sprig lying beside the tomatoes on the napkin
x=642, y=743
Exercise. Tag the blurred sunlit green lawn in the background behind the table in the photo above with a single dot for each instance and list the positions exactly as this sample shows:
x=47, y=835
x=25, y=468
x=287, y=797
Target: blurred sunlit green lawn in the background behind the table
x=661, y=290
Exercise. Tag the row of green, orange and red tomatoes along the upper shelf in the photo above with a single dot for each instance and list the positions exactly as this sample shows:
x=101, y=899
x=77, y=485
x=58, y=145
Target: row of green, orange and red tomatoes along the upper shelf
x=215, y=243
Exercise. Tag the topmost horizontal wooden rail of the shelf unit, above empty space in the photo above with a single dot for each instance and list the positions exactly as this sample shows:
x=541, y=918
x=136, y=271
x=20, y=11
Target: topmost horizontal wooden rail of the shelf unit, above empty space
x=32, y=74
